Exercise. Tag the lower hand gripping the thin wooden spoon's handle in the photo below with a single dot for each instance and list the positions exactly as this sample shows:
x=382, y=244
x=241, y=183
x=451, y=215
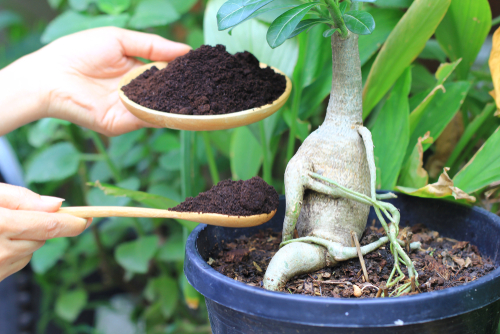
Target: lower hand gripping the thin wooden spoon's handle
x=26, y=221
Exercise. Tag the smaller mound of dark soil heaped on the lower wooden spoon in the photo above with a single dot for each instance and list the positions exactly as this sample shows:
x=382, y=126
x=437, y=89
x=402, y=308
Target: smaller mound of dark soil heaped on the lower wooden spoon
x=236, y=198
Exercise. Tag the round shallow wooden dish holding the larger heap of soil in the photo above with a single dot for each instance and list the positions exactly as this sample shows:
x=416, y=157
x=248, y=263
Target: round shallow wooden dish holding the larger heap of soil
x=199, y=123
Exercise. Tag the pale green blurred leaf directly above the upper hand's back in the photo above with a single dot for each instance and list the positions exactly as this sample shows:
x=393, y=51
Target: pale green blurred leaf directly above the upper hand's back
x=71, y=22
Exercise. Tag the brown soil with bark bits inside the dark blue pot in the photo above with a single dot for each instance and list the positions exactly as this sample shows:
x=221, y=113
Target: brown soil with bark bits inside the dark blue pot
x=441, y=263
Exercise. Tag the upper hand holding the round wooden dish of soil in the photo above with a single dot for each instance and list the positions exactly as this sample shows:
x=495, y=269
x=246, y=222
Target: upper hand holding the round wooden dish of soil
x=76, y=77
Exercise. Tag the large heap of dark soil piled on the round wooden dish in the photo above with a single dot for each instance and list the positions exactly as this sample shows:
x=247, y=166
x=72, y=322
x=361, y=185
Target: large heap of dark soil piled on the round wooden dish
x=207, y=81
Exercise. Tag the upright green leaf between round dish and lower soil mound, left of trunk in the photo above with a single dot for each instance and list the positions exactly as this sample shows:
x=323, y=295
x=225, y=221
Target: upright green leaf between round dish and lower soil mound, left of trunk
x=246, y=154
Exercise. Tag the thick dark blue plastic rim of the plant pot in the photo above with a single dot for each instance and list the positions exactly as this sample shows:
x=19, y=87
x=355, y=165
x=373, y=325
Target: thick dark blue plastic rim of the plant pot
x=340, y=312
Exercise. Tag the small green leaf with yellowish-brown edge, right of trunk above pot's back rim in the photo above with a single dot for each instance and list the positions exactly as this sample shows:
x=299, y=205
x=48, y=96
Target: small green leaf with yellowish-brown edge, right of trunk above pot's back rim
x=413, y=174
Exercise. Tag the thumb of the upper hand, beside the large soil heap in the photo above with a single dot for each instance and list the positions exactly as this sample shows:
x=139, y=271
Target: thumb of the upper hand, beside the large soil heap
x=149, y=46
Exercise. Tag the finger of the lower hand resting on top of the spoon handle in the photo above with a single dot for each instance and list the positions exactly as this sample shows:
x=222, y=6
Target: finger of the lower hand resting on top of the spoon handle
x=19, y=198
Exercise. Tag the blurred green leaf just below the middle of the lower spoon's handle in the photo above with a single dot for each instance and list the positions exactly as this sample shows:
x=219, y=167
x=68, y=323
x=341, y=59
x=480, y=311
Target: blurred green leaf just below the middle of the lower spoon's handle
x=134, y=255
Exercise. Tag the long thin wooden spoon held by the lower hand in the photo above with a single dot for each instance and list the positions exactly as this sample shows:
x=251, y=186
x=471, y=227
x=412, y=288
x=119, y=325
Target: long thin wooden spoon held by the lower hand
x=205, y=218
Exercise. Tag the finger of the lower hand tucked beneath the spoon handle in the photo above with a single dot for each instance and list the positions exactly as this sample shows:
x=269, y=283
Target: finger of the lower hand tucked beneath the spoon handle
x=31, y=225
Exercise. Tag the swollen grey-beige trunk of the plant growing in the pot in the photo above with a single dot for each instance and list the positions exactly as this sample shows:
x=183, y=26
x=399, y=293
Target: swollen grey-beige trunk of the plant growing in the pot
x=336, y=150
